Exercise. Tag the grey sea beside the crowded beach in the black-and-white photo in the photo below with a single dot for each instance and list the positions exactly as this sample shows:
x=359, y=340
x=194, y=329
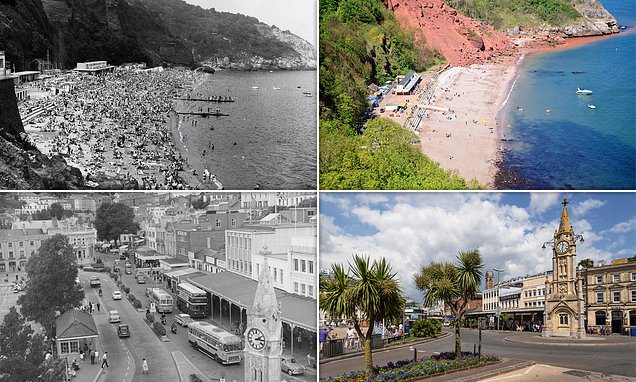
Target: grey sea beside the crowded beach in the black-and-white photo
x=268, y=139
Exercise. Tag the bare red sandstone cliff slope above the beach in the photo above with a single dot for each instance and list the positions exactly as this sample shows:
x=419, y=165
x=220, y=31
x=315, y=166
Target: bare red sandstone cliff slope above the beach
x=460, y=39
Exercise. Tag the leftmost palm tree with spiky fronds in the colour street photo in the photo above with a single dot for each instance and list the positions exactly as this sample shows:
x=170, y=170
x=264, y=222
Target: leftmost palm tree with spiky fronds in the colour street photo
x=369, y=289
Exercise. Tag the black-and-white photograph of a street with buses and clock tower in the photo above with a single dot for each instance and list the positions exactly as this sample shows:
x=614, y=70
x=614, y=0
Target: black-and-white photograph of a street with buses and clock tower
x=173, y=286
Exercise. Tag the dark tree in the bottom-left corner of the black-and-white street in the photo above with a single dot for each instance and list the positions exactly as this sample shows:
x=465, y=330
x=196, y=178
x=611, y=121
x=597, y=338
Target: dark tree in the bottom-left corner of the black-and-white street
x=22, y=350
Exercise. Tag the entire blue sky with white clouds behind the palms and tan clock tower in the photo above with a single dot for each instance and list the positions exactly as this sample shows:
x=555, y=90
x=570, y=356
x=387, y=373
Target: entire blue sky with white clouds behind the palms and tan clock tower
x=414, y=229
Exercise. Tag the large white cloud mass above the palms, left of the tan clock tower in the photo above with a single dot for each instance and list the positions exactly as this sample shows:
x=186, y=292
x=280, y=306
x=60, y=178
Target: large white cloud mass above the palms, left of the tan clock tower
x=412, y=235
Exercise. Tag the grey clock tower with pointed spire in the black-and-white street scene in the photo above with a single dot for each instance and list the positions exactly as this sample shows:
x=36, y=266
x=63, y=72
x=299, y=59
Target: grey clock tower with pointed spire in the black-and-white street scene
x=264, y=332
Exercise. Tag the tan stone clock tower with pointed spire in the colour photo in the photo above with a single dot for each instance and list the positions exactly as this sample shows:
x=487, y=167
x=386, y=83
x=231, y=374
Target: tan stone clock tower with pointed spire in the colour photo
x=563, y=315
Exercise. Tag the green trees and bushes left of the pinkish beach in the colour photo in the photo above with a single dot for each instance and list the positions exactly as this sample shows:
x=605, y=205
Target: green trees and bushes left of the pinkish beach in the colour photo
x=361, y=42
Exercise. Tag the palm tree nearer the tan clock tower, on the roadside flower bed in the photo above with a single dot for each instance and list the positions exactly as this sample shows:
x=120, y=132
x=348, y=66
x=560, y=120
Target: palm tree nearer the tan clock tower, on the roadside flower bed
x=454, y=284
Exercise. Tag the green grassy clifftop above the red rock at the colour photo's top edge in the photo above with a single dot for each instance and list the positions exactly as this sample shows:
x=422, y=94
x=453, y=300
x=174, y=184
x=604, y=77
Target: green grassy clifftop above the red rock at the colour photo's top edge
x=506, y=14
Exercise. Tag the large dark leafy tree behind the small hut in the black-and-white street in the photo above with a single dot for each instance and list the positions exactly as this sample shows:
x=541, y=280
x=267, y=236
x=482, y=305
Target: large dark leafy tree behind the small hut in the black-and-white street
x=51, y=286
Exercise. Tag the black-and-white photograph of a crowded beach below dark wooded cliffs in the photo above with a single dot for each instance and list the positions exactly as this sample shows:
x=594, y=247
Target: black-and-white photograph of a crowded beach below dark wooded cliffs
x=158, y=94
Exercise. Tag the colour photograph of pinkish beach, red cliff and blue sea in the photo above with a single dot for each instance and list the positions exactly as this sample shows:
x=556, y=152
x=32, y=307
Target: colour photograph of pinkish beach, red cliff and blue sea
x=456, y=94
